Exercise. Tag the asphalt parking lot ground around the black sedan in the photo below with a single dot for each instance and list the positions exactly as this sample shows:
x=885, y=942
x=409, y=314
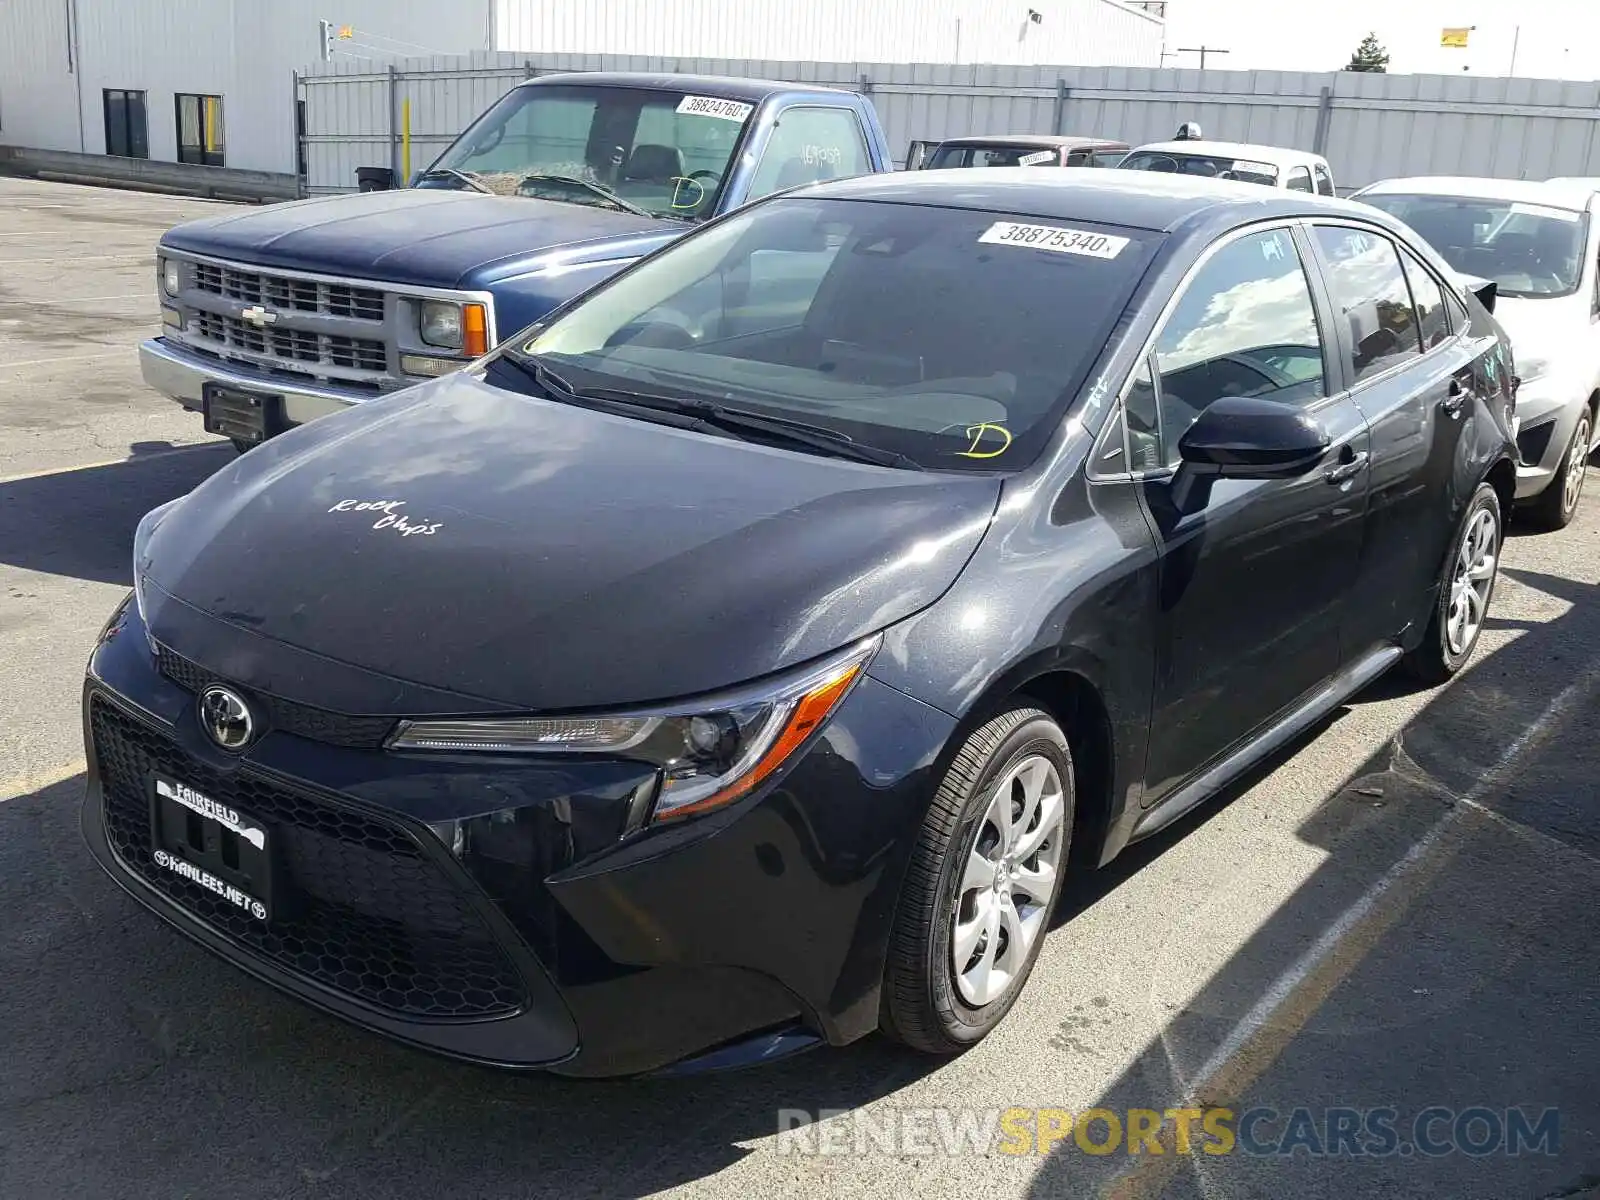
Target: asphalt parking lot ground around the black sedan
x=1402, y=913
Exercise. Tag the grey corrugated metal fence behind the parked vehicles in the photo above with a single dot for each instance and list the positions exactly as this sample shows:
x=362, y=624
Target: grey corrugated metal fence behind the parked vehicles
x=1370, y=127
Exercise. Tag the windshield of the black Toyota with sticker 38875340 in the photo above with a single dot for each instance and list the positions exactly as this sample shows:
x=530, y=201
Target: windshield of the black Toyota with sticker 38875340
x=951, y=337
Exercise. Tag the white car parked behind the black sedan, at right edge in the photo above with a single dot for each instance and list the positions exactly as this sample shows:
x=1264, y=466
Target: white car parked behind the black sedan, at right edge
x=1540, y=244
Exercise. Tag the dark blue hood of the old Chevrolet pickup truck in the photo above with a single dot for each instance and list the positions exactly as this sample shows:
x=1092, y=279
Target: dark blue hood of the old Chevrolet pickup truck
x=428, y=238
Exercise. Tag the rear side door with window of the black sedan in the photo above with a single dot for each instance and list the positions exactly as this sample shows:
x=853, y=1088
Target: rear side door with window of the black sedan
x=1412, y=378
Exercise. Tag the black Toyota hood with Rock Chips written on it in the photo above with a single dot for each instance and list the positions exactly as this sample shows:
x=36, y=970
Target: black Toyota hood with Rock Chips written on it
x=498, y=551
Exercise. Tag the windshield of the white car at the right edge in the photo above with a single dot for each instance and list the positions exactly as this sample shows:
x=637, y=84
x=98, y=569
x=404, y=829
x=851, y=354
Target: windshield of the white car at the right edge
x=1529, y=250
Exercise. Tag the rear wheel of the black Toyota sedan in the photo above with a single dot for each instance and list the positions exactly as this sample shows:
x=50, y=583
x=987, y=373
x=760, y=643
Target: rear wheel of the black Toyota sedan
x=1458, y=618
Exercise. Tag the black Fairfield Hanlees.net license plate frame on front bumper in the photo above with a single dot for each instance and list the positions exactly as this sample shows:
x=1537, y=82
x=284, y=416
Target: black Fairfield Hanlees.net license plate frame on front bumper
x=212, y=846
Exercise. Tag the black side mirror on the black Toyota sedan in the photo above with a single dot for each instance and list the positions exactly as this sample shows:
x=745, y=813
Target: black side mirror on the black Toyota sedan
x=1246, y=438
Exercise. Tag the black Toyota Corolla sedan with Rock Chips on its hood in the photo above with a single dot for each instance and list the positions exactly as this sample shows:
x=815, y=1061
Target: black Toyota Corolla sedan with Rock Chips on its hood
x=743, y=658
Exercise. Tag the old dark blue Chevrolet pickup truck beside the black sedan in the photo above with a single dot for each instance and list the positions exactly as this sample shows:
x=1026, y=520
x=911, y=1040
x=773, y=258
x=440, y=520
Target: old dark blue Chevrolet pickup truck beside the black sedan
x=278, y=316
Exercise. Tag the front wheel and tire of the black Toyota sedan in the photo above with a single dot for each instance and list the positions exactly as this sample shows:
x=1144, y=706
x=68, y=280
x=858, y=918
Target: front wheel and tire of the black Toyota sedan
x=1020, y=766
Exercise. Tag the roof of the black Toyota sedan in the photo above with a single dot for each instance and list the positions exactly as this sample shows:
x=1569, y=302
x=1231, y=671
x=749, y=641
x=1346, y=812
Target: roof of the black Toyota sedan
x=1130, y=199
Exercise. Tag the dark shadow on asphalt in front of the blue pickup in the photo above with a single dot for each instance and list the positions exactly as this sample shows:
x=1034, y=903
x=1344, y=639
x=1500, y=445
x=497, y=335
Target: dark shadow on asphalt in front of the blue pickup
x=79, y=524
